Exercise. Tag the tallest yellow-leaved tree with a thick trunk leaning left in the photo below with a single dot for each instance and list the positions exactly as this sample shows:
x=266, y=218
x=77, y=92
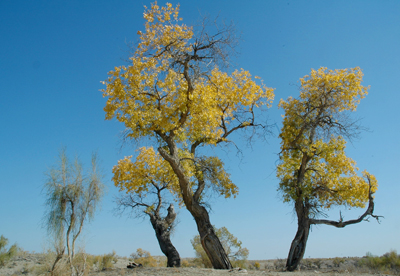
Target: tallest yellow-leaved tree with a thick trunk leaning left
x=175, y=92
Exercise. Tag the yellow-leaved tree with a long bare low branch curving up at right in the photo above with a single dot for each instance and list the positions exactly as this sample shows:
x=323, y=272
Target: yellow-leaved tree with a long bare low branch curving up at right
x=314, y=171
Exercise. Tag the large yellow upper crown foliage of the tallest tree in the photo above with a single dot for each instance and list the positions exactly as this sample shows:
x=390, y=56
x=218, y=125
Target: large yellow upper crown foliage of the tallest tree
x=150, y=95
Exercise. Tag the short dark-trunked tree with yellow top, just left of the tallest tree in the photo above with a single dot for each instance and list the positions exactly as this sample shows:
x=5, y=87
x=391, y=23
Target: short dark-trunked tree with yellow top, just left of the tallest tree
x=146, y=182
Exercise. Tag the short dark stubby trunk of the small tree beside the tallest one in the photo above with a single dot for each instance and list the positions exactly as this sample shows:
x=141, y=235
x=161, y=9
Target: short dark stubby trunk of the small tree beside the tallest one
x=163, y=227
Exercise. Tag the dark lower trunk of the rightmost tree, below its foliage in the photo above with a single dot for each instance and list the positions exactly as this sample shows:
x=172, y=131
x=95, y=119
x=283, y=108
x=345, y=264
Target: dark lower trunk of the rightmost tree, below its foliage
x=298, y=246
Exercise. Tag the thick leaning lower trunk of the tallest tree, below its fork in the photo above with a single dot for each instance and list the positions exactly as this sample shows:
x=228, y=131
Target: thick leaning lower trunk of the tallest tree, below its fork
x=209, y=240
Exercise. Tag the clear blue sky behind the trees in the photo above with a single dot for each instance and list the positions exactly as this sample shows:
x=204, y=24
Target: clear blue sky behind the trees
x=53, y=55
